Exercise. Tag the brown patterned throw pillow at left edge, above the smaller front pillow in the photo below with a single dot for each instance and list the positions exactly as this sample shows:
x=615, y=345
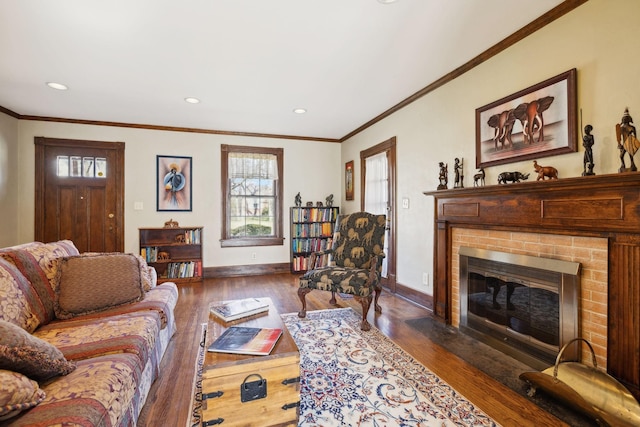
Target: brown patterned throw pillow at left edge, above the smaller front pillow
x=22, y=352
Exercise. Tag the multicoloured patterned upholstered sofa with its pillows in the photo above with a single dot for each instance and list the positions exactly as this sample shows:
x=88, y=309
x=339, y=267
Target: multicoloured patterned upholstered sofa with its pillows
x=81, y=335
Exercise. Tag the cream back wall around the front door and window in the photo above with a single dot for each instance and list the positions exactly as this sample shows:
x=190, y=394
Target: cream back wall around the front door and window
x=141, y=148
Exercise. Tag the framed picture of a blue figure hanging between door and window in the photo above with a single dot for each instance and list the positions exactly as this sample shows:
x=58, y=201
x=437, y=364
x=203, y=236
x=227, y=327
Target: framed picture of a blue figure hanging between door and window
x=173, y=183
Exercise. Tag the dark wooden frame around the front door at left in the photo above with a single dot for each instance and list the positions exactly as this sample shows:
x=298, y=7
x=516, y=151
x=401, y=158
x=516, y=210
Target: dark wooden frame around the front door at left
x=41, y=143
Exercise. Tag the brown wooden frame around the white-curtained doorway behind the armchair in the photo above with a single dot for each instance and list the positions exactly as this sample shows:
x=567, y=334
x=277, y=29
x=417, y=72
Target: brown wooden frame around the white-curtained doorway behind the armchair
x=388, y=146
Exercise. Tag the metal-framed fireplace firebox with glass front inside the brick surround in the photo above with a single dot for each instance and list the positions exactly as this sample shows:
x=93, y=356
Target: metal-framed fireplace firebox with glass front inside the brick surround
x=521, y=305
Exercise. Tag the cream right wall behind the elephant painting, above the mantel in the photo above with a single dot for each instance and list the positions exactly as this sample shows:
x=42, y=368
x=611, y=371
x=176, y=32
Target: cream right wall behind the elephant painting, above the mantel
x=598, y=38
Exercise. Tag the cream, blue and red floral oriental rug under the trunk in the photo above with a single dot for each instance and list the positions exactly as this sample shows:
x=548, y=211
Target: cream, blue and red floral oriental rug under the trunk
x=349, y=377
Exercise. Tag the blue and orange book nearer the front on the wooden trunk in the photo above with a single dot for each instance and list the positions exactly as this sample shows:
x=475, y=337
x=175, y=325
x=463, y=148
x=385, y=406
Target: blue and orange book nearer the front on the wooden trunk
x=246, y=340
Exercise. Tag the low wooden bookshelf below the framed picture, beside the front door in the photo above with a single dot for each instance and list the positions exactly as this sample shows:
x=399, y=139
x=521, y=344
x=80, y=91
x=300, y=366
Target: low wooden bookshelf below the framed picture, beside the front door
x=175, y=252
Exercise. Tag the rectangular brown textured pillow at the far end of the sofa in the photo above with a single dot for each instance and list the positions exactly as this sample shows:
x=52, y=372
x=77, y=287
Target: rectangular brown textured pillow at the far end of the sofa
x=89, y=284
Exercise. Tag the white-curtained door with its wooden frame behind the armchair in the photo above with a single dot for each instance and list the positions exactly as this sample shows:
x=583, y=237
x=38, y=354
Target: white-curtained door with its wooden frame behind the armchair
x=384, y=204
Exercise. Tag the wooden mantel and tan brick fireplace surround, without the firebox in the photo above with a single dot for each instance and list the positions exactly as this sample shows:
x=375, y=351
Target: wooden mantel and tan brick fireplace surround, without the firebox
x=592, y=220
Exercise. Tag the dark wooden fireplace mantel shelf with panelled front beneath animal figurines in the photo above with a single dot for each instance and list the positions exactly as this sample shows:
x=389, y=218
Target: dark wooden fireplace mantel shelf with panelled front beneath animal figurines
x=592, y=204
